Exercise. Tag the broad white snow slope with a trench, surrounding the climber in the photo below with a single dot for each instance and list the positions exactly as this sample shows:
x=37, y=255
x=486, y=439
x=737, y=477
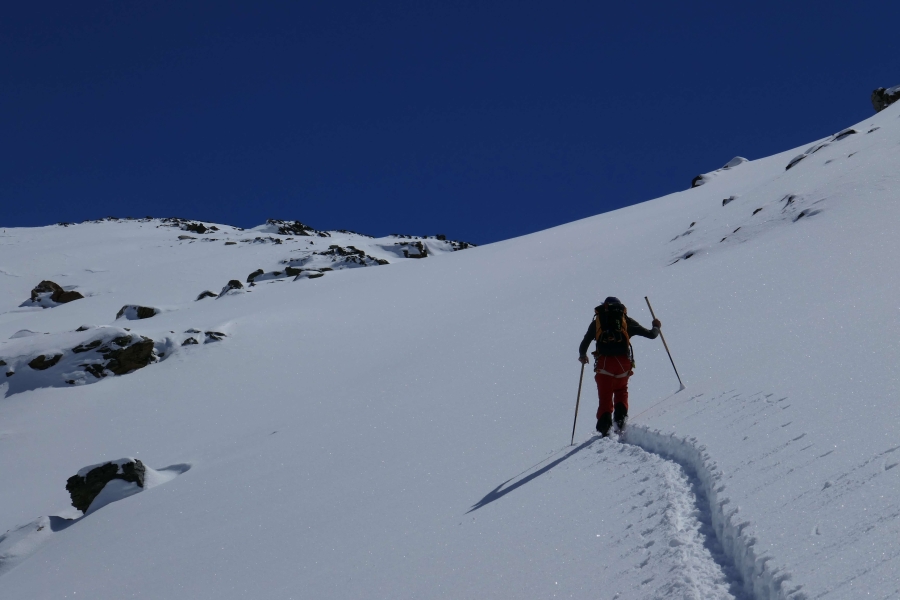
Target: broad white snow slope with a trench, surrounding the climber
x=401, y=431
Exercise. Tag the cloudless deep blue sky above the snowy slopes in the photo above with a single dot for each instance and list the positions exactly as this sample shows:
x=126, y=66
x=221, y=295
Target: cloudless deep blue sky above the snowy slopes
x=481, y=120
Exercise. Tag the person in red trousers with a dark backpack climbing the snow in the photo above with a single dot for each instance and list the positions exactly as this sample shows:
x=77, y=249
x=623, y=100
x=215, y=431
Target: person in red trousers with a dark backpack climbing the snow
x=613, y=329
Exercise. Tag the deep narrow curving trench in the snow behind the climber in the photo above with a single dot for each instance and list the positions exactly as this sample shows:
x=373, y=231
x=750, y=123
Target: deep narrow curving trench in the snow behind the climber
x=761, y=580
